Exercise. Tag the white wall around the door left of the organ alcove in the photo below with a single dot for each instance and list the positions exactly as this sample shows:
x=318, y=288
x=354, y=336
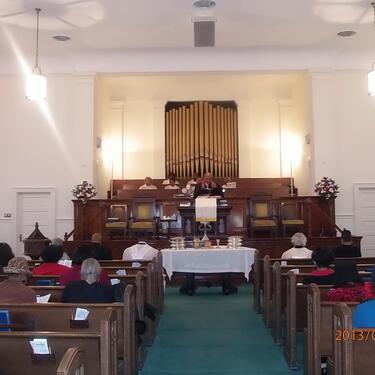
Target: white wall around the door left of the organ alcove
x=45, y=146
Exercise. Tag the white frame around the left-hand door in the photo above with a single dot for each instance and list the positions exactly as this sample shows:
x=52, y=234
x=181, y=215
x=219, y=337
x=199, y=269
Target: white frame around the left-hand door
x=17, y=191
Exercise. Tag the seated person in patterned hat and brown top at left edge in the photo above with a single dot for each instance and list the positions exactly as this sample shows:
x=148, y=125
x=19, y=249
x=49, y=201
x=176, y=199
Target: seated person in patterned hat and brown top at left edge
x=13, y=289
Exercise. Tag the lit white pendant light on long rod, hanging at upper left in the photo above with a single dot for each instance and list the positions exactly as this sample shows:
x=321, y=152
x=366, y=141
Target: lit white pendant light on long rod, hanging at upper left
x=36, y=88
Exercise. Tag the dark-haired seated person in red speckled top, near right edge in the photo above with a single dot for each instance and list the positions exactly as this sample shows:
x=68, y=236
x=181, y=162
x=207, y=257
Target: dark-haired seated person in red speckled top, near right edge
x=348, y=284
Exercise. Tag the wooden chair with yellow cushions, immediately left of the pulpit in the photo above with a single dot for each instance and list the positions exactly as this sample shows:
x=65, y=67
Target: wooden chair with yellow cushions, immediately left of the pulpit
x=143, y=217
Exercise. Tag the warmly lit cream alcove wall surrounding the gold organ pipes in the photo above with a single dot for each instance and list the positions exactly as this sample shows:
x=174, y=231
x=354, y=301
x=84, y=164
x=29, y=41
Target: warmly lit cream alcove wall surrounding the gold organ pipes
x=259, y=98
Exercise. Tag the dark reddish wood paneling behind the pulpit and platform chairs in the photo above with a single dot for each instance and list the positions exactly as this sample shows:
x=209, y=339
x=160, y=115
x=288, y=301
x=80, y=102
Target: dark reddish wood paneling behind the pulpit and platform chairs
x=91, y=217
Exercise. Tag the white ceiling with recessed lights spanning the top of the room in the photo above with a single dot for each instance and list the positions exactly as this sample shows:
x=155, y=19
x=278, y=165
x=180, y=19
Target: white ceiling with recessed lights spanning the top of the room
x=124, y=35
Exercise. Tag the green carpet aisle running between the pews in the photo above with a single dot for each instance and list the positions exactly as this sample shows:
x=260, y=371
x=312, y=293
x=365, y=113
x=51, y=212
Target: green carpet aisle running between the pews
x=209, y=334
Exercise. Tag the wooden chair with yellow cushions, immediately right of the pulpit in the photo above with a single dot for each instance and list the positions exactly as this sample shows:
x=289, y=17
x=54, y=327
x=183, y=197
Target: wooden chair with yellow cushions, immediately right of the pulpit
x=262, y=216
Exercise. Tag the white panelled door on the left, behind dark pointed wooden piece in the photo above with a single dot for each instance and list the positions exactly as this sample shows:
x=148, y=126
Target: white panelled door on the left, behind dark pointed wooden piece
x=34, y=207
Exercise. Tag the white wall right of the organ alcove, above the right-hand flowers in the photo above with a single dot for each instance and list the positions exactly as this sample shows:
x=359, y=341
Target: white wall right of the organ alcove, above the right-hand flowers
x=344, y=131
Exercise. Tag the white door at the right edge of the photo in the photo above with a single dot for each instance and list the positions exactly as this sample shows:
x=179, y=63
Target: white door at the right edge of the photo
x=364, y=197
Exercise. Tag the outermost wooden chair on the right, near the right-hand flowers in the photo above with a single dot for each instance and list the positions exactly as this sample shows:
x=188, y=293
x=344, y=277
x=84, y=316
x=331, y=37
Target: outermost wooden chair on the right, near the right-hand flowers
x=291, y=217
